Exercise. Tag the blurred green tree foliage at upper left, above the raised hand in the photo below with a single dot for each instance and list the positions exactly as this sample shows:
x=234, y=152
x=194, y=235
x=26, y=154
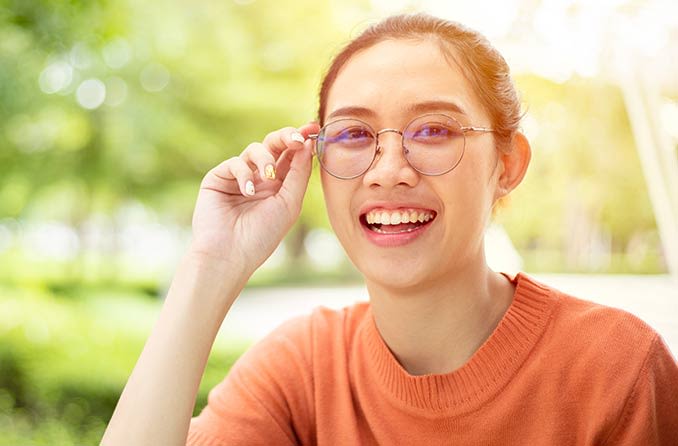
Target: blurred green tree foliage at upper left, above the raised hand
x=235, y=73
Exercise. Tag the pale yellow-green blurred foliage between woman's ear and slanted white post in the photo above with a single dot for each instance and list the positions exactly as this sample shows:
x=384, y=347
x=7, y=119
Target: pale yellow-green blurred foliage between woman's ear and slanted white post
x=584, y=186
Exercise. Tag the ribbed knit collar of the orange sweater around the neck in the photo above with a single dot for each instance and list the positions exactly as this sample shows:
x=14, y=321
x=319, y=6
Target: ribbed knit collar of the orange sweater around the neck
x=486, y=373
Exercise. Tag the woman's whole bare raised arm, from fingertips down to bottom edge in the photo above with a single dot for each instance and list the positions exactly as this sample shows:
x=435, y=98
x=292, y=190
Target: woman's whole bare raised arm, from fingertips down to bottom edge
x=244, y=209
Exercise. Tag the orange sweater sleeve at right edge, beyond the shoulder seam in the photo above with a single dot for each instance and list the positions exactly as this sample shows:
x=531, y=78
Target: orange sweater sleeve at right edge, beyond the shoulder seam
x=650, y=414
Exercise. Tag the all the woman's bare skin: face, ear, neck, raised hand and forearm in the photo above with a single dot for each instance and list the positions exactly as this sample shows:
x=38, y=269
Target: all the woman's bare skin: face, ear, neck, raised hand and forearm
x=435, y=300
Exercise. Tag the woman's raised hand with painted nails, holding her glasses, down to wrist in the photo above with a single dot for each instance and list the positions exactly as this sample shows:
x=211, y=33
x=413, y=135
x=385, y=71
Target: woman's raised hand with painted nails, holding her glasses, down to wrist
x=248, y=203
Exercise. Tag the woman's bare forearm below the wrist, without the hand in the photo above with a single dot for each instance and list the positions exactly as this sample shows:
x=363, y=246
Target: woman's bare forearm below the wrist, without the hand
x=157, y=402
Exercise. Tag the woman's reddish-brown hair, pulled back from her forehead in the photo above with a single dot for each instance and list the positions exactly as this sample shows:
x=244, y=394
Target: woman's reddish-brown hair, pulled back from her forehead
x=483, y=66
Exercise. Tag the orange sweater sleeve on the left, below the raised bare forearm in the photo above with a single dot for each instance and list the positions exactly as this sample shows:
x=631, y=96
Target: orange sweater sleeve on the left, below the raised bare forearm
x=267, y=396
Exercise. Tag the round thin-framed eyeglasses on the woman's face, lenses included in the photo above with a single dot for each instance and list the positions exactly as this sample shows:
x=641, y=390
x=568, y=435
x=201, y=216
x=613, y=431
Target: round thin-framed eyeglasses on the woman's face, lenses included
x=433, y=144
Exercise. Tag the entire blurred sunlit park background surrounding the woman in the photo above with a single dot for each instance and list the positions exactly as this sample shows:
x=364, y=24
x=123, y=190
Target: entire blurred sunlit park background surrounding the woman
x=111, y=111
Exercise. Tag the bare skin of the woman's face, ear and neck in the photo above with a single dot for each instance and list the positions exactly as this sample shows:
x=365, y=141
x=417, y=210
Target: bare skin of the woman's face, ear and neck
x=435, y=300
